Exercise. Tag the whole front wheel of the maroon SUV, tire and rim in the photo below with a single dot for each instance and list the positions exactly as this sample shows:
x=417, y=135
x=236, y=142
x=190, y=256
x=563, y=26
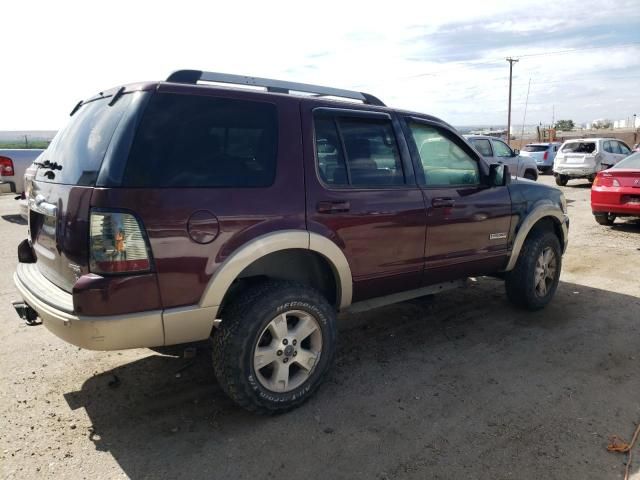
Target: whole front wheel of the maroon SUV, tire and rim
x=534, y=280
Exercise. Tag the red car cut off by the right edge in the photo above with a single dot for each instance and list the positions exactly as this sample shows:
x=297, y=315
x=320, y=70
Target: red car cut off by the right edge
x=616, y=191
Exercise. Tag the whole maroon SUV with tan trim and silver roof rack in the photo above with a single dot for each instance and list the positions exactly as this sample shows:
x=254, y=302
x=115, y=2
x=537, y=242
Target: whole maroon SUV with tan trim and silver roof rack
x=192, y=211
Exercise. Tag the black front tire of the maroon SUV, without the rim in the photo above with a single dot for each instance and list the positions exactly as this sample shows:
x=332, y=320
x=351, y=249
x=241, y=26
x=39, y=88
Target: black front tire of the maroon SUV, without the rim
x=520, y=282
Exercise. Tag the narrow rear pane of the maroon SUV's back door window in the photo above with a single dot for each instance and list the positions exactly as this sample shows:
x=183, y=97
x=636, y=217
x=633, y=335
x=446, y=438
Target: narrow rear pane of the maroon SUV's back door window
x=331, y=166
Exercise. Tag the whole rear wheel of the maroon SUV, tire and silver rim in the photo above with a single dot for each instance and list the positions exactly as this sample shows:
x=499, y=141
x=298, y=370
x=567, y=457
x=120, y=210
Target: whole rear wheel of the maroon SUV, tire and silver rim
x=274, y=346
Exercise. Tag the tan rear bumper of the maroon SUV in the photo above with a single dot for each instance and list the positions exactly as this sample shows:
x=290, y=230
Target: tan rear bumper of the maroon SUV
x=55, y=307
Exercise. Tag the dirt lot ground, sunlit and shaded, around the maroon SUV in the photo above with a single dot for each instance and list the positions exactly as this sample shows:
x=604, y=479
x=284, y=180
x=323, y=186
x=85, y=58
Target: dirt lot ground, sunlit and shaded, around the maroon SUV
x=461, y=385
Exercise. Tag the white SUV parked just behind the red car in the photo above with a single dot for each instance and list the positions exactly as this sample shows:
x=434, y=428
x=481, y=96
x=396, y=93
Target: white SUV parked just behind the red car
x=584, y=158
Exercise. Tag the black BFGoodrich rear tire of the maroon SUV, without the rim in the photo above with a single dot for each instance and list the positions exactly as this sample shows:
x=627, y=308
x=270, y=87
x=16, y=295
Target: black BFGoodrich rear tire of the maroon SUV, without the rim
x=243, y=321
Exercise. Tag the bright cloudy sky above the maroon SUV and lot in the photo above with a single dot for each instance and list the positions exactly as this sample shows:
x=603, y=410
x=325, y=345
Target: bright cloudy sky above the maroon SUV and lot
x=442, y=58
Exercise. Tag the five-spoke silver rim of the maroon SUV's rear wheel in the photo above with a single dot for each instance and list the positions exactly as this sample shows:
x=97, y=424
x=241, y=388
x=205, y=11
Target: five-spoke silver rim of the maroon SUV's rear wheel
x=287, y=351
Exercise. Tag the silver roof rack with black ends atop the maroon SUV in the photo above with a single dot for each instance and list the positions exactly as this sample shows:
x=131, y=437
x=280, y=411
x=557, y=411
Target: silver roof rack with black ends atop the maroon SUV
x=276, y=86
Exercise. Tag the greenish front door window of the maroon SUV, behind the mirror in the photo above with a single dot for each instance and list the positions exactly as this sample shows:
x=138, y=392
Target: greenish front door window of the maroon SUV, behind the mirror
x=444, y=162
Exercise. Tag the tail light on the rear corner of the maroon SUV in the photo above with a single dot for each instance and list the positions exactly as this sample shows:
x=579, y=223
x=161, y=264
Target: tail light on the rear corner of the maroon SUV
x=117, y=244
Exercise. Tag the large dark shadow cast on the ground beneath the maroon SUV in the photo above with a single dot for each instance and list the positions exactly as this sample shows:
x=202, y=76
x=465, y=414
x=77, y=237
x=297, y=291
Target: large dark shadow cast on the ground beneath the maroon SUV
x=460, y=385
